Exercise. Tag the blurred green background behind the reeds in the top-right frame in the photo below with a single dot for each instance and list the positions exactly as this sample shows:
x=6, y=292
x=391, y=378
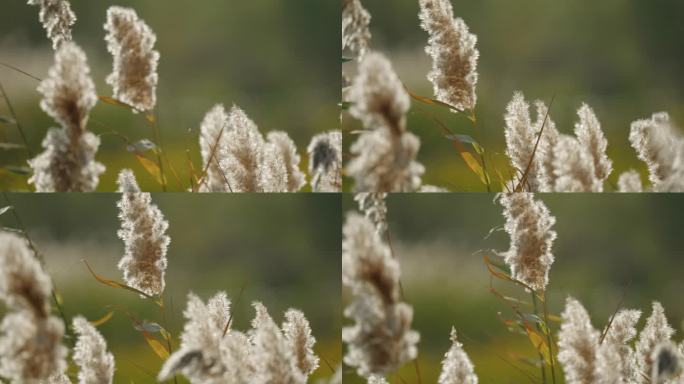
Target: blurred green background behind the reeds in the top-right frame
x=622, y=57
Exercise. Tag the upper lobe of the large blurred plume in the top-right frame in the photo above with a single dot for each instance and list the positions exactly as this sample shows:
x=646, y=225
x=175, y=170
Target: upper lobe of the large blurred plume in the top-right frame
x=377, y=95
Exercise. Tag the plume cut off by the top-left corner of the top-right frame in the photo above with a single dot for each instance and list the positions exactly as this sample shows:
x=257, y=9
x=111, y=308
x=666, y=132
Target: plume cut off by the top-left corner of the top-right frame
x=355, y=33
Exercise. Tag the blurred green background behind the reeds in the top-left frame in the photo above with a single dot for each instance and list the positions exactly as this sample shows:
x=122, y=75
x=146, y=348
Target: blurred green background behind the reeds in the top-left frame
x=276, y=59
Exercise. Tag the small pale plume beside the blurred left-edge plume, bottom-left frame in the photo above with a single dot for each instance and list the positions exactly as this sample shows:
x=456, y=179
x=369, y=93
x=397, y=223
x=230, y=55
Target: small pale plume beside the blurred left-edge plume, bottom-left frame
x=96, y=364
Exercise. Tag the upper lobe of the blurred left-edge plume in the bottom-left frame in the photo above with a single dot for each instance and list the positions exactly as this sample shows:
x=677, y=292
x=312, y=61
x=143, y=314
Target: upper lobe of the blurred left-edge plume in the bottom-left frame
x=23, y=283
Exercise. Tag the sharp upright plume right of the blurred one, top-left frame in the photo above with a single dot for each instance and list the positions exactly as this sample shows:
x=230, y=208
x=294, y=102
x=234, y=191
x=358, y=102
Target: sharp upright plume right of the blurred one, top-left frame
x=131, y=42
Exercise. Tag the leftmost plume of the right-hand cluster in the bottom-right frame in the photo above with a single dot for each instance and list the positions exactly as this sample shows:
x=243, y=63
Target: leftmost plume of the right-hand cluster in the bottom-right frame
x=578, y=344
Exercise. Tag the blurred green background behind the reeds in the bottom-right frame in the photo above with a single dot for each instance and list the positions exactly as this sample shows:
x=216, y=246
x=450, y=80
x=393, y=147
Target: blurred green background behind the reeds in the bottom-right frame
x=609, y=249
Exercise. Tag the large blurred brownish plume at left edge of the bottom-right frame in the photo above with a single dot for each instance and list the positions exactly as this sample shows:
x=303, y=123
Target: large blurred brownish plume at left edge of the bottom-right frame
x=381, y=339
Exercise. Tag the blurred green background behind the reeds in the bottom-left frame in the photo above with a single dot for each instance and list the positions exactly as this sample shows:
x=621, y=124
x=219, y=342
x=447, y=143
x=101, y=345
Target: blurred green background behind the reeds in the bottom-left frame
x=279, y=249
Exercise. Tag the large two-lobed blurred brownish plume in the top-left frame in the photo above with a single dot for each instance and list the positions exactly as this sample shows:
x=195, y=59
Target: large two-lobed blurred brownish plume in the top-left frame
x=68, y=162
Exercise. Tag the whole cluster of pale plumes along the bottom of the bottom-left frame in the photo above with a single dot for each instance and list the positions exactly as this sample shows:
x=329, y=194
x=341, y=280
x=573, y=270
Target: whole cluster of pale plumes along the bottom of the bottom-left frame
x=213, y=352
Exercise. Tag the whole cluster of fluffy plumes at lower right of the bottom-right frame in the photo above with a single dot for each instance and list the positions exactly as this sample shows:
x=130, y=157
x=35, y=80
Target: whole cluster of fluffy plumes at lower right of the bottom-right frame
x=621, y=356
